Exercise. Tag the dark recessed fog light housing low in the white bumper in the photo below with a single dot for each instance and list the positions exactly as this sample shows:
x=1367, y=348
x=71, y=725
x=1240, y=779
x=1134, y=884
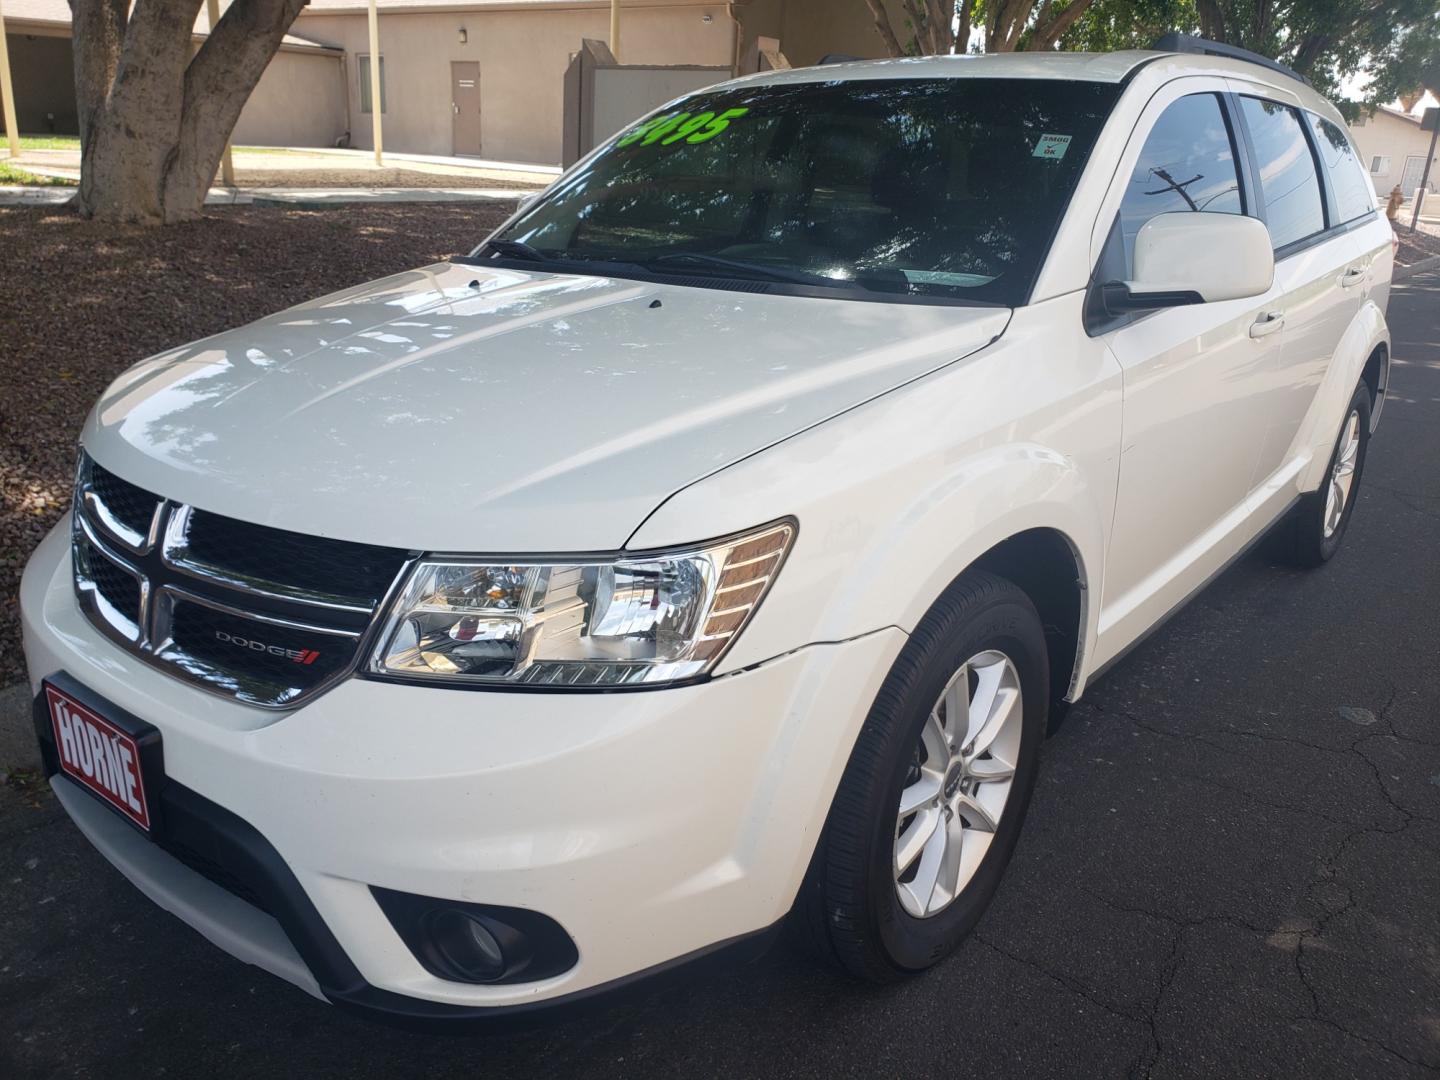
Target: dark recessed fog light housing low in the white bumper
x=479, y=944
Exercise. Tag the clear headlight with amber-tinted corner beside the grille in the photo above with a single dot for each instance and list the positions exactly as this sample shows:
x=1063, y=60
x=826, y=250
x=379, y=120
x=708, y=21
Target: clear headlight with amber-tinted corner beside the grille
x=626, y=621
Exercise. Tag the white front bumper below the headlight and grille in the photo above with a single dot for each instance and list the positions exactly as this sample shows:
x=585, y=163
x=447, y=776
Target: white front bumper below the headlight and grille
x=652, y=826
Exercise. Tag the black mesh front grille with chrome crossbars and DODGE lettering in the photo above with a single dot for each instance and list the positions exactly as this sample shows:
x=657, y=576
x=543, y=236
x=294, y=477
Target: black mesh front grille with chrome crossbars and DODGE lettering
x=263, y=616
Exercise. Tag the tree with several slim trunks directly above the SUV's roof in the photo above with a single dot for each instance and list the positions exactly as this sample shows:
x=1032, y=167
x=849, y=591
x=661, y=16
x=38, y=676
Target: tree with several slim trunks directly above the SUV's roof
x=944, y=27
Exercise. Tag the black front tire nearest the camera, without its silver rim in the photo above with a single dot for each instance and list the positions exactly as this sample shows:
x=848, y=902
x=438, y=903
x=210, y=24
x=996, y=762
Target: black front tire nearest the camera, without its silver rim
x=849, y=911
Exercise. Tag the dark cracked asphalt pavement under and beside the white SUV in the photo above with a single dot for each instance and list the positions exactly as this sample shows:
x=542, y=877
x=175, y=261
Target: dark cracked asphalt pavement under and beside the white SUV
x=1232, y=869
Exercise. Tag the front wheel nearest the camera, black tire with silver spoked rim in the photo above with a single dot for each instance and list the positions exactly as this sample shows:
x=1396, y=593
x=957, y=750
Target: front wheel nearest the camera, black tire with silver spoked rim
x=932, y=800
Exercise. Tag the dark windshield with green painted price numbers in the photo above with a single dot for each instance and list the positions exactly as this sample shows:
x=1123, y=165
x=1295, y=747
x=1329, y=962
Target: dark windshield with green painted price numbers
x=947, y=189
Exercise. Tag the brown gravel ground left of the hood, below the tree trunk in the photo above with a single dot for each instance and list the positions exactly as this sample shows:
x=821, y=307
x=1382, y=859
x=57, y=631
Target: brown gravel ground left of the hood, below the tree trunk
x=83, y=302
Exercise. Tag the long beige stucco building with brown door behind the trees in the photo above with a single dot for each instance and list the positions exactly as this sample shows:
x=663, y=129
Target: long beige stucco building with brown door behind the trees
x=483, y=78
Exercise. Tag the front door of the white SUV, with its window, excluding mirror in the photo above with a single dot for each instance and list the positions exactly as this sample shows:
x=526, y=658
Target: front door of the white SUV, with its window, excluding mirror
x=1194, y=415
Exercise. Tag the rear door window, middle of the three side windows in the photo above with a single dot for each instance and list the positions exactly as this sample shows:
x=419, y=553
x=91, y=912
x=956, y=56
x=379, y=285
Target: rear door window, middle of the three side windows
x=1288, y=179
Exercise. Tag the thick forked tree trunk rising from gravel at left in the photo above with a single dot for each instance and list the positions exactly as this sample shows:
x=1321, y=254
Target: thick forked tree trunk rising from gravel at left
x=155, y=113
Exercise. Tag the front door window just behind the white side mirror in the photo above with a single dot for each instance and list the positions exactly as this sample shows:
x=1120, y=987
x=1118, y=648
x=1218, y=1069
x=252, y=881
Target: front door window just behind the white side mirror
x=1187, y=165
